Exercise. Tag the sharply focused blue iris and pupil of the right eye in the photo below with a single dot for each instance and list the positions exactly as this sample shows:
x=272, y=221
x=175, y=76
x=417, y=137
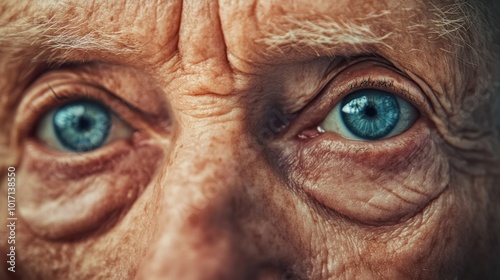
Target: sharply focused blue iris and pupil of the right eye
x=370, y=114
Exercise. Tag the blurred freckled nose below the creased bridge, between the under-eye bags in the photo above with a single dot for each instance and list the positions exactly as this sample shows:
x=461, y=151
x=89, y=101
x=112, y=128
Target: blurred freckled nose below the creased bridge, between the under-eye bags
x=205, y=202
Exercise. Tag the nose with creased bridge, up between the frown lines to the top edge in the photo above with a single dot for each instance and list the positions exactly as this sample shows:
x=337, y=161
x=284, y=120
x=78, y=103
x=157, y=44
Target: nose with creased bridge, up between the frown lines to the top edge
x=217, y=191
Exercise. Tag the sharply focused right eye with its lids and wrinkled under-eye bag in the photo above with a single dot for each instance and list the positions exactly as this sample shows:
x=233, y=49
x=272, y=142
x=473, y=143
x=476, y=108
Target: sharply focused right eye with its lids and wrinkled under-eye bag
x=360, y=145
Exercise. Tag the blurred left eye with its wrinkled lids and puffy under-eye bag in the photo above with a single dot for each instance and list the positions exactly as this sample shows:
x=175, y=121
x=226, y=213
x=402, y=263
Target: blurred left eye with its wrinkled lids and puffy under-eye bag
x=88, y=150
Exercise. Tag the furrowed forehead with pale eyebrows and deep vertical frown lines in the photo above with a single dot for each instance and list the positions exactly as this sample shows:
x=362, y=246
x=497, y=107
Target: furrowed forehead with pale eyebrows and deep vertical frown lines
x=216, y=40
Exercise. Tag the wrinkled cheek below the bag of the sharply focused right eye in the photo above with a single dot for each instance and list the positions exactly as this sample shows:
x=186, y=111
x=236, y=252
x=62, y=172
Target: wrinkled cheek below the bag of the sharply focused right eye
x=435, y=244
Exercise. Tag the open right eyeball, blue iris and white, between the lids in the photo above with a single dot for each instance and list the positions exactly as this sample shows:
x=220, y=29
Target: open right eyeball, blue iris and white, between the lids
x=370, y=114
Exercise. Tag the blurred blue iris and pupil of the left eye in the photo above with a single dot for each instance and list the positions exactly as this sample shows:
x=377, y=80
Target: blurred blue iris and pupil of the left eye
x=82, y=126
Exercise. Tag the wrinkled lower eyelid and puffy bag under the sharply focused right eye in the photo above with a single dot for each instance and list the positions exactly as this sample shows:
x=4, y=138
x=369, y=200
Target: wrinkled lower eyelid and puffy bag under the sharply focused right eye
x=345, y=175
